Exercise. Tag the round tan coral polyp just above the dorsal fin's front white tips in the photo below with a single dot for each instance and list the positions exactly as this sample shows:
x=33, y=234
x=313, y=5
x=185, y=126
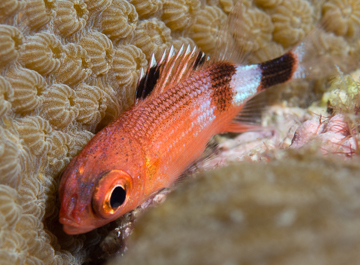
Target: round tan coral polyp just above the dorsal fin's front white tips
x=152, y=37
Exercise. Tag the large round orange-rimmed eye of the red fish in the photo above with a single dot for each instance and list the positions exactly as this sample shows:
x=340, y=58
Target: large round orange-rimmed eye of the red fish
x=110, y=194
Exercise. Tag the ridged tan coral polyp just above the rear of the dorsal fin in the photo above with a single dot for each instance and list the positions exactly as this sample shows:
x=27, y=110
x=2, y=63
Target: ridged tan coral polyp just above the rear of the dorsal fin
x=205, y=30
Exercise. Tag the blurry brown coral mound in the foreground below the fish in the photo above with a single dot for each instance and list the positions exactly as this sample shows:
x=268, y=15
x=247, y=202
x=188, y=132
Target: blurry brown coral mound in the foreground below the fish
x=274, y=213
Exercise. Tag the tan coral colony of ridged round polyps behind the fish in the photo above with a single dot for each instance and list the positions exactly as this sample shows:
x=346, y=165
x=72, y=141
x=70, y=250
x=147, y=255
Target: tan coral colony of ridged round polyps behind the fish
x=69, y=67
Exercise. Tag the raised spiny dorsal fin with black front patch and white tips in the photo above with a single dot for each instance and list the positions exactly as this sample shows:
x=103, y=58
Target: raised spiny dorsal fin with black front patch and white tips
x=168, y=71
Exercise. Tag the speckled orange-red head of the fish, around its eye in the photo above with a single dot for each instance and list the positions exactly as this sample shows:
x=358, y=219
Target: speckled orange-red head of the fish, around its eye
x=95, y=163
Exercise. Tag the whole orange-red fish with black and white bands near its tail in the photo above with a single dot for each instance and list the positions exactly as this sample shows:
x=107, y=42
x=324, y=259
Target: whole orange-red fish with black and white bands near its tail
x=181, y=102
